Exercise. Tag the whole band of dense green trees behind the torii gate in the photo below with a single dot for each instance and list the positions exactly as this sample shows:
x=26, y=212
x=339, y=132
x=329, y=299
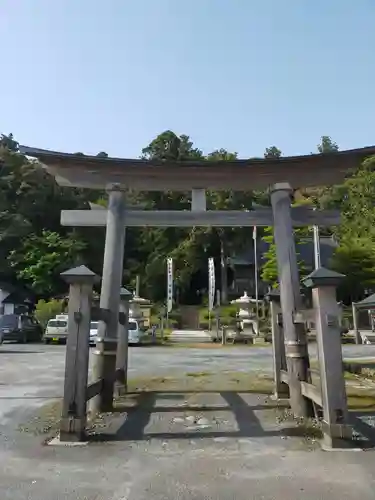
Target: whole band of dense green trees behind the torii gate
x=35, y=248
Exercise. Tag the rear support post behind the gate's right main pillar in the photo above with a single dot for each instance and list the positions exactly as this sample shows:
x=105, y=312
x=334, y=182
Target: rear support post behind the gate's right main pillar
x=281, y=390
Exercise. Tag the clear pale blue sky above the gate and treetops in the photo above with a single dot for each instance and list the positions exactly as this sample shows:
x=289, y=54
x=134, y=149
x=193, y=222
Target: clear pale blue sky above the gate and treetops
x=90, y=76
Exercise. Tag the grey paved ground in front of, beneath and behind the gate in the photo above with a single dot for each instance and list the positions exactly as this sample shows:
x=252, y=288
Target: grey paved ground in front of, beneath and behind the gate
x=169, y=452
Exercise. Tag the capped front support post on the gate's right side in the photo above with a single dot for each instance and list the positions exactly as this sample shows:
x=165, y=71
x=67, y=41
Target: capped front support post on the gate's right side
x=335, y=409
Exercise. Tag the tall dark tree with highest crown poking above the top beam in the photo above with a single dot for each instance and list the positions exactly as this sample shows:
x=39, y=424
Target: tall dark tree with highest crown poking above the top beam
x=147, y=256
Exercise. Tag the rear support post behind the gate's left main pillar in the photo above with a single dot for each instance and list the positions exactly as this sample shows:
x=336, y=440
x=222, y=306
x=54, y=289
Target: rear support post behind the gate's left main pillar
x=122, y=343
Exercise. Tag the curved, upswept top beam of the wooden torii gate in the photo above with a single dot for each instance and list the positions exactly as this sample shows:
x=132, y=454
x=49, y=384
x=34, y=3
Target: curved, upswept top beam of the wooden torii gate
x=237, y=175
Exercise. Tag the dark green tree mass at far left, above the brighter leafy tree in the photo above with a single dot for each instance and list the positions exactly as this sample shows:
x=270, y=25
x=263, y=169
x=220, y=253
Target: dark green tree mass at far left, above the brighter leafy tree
x=31, y=204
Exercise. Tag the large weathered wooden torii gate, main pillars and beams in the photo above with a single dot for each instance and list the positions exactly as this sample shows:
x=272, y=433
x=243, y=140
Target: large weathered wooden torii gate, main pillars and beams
x=281, y=176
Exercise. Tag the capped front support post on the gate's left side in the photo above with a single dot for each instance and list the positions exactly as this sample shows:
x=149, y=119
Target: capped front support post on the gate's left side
x=73, y=417
